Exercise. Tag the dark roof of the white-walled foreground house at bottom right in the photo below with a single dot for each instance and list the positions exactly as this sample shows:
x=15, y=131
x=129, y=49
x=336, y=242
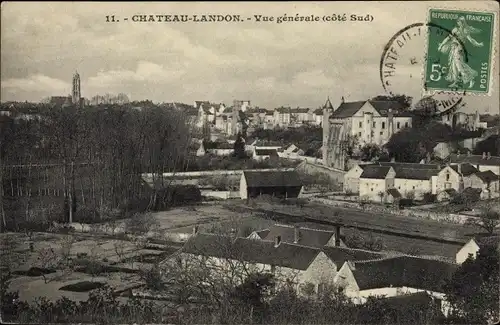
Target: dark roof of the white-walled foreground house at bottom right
x=402, y=271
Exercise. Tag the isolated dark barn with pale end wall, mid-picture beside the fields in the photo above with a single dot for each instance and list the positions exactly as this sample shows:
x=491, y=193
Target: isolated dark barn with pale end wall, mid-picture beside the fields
x=279, y=183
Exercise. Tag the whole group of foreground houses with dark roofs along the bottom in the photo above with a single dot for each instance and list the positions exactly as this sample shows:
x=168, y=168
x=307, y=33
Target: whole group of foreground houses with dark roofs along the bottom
x=313, y=260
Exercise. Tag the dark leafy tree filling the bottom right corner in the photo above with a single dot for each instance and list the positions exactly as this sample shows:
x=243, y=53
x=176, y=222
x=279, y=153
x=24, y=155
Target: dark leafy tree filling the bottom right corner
x=473, y=289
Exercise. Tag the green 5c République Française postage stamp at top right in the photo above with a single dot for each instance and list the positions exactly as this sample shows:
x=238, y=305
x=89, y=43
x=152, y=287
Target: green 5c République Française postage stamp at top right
x=460, y=56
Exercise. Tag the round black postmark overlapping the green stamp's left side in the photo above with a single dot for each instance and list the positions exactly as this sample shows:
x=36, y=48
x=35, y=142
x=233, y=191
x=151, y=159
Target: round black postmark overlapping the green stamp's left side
x=401, y=68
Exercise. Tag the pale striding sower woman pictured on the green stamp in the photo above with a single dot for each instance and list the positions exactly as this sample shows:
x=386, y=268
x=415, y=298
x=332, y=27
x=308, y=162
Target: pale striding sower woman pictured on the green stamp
x=459, y=72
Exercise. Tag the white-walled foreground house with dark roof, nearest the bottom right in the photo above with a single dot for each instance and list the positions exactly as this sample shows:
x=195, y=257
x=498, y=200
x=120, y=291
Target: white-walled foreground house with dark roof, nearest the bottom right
x=395, y=276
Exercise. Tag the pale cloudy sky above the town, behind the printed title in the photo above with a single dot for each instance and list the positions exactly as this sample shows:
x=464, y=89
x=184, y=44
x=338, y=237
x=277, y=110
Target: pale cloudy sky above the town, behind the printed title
x=290, y=64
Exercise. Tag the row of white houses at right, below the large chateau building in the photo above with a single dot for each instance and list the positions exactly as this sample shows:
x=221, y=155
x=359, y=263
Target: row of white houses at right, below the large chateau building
x=387, y=182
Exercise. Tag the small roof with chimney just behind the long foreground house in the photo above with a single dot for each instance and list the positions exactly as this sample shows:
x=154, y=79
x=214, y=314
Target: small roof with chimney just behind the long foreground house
x=307, y=236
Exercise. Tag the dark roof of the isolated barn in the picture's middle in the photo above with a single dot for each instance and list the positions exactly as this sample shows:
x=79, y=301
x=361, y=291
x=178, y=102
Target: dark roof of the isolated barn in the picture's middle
x=272, y=178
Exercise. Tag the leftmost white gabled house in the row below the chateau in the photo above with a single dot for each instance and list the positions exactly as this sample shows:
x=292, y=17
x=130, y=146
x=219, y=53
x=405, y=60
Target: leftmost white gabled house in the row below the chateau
x=374, y=182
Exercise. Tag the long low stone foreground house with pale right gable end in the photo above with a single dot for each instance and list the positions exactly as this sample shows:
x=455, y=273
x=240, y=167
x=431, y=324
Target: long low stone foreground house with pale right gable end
x=300, y=265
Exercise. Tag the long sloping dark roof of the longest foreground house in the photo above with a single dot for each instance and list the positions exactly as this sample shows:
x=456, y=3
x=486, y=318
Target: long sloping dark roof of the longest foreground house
x=254, y=251
